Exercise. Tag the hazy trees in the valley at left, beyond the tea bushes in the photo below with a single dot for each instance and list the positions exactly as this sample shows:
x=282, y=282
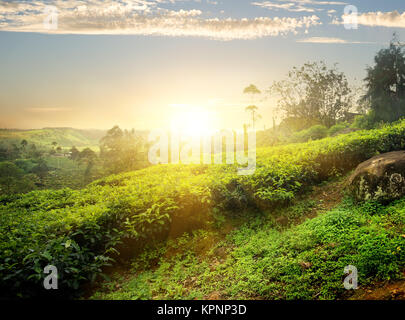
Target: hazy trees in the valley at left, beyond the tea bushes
x=25, y=166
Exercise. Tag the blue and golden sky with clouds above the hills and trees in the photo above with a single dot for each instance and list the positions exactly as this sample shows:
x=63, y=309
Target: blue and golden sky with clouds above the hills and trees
x=136, y=63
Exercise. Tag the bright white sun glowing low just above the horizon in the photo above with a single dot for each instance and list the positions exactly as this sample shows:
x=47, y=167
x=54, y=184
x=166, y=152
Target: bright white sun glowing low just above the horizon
x=192, y=123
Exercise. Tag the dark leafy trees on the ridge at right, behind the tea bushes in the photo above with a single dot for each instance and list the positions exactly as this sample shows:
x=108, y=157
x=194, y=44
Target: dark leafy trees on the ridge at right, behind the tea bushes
x=316, y=101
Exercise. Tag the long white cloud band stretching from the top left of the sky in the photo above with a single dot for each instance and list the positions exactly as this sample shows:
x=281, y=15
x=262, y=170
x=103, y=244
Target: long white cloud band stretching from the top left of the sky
x=139, y=17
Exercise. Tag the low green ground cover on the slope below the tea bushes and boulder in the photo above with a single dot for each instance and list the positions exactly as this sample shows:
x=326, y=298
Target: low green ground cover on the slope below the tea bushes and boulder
x=263, y=260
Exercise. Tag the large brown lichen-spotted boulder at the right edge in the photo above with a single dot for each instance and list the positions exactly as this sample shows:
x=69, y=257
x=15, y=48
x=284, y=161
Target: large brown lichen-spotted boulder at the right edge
x=380, y=178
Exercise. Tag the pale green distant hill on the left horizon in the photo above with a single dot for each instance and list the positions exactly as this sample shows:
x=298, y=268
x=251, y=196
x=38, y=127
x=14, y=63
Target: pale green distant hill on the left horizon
x=65, y=137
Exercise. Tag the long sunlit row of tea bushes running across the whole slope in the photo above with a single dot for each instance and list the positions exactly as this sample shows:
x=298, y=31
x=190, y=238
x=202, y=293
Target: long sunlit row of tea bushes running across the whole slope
x=129, y=210
